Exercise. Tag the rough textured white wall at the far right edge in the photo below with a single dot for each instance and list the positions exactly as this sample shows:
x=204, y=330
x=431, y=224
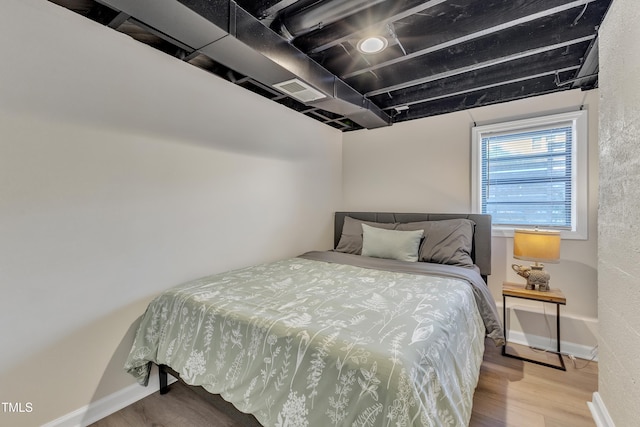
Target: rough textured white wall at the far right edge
x=619, y=216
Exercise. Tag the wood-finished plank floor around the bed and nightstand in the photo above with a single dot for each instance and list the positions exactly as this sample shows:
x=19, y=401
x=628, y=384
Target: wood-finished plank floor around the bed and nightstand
x=510, y=393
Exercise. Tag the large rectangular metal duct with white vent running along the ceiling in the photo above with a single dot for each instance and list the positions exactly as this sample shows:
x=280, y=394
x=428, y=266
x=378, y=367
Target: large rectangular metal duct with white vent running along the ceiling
x=229, y=35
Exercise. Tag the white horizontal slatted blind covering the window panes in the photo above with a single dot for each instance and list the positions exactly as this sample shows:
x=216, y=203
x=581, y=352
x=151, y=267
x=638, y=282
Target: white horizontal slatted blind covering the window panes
x=526, y=177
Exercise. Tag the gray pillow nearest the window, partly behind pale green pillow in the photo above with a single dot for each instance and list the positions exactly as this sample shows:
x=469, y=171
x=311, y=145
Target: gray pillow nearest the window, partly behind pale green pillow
x=448, y=241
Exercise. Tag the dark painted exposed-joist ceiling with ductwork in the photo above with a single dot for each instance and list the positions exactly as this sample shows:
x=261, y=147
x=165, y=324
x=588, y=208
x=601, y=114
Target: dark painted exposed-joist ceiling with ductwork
x=442, y=55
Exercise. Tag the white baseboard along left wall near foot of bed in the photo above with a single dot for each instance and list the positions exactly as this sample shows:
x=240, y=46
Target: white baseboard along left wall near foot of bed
x=106, y=406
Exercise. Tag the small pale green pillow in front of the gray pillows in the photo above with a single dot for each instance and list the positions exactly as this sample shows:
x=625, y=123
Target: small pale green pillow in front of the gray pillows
x=391, y=244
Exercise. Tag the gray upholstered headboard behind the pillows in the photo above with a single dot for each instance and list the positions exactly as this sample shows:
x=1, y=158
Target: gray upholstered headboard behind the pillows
x=481, y=253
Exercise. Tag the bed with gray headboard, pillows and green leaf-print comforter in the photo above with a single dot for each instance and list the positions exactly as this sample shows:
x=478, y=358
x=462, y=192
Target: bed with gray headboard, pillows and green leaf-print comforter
x=386, y=329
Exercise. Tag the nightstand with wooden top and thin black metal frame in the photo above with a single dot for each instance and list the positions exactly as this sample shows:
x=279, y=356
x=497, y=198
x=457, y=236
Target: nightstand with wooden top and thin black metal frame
x=553, y=296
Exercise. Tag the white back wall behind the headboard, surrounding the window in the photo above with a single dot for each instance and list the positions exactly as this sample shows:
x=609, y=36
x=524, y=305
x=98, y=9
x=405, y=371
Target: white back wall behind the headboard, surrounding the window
x=425, y=166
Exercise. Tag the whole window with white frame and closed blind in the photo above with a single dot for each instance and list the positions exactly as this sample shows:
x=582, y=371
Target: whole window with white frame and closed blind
x=532, y=173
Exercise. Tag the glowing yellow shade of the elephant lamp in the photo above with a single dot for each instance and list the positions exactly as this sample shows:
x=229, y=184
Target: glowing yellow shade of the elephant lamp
x=536, y=245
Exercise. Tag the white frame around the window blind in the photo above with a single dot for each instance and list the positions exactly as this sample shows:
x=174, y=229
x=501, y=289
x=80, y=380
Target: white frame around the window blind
x=579, y=175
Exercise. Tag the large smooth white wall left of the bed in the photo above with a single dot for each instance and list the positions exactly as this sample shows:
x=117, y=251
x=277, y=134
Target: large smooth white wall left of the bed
x=124, y=171
